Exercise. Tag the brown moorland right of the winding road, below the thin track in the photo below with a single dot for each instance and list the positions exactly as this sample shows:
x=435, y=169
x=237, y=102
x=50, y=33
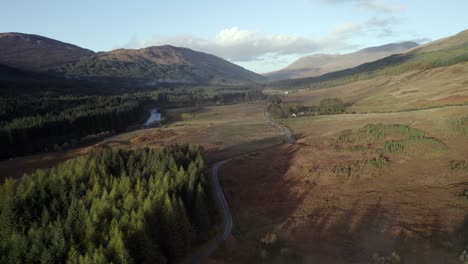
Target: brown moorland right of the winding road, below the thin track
x=364, y=188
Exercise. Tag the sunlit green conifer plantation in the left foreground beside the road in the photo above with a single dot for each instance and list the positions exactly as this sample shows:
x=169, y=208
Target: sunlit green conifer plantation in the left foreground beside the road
x=142, y=206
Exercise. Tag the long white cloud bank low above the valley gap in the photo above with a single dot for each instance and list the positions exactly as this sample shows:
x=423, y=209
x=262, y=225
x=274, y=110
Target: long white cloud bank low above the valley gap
x=240, y=45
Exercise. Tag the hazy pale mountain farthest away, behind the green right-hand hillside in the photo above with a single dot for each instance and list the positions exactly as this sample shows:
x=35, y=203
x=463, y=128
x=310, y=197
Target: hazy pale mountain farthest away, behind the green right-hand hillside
x=316, y=65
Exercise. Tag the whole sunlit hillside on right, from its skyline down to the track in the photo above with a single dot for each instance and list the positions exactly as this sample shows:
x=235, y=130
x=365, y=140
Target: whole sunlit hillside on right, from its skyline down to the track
x=433, y=75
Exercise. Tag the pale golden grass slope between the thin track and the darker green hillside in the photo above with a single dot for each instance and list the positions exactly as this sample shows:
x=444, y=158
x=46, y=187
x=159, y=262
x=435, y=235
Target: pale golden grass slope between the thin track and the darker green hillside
x=411, y=90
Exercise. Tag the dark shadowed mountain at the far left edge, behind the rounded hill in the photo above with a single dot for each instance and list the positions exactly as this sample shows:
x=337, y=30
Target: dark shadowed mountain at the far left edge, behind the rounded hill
x=36, y=53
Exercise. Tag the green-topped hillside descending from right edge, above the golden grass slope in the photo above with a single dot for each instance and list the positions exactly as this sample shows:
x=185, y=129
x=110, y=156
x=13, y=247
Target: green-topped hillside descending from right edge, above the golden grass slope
x=440, y=53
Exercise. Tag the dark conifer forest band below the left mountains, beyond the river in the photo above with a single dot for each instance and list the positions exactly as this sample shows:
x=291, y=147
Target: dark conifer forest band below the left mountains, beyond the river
x=47, y=122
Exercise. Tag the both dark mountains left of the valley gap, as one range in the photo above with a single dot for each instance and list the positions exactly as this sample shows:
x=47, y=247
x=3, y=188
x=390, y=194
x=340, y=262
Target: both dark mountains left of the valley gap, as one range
x=148, y=66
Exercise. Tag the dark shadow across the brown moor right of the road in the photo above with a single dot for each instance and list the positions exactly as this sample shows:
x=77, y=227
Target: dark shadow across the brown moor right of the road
x=263, y=199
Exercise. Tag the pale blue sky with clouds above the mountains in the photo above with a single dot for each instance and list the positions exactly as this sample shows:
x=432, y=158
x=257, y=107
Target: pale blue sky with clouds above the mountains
x=261, y=36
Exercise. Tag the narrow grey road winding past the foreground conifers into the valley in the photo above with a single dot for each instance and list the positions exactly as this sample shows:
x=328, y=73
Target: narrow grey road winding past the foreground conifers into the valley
x=208, y=249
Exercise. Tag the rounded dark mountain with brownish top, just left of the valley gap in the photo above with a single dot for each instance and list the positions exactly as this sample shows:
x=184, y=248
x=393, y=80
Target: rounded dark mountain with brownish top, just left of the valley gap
x=162, y=64
